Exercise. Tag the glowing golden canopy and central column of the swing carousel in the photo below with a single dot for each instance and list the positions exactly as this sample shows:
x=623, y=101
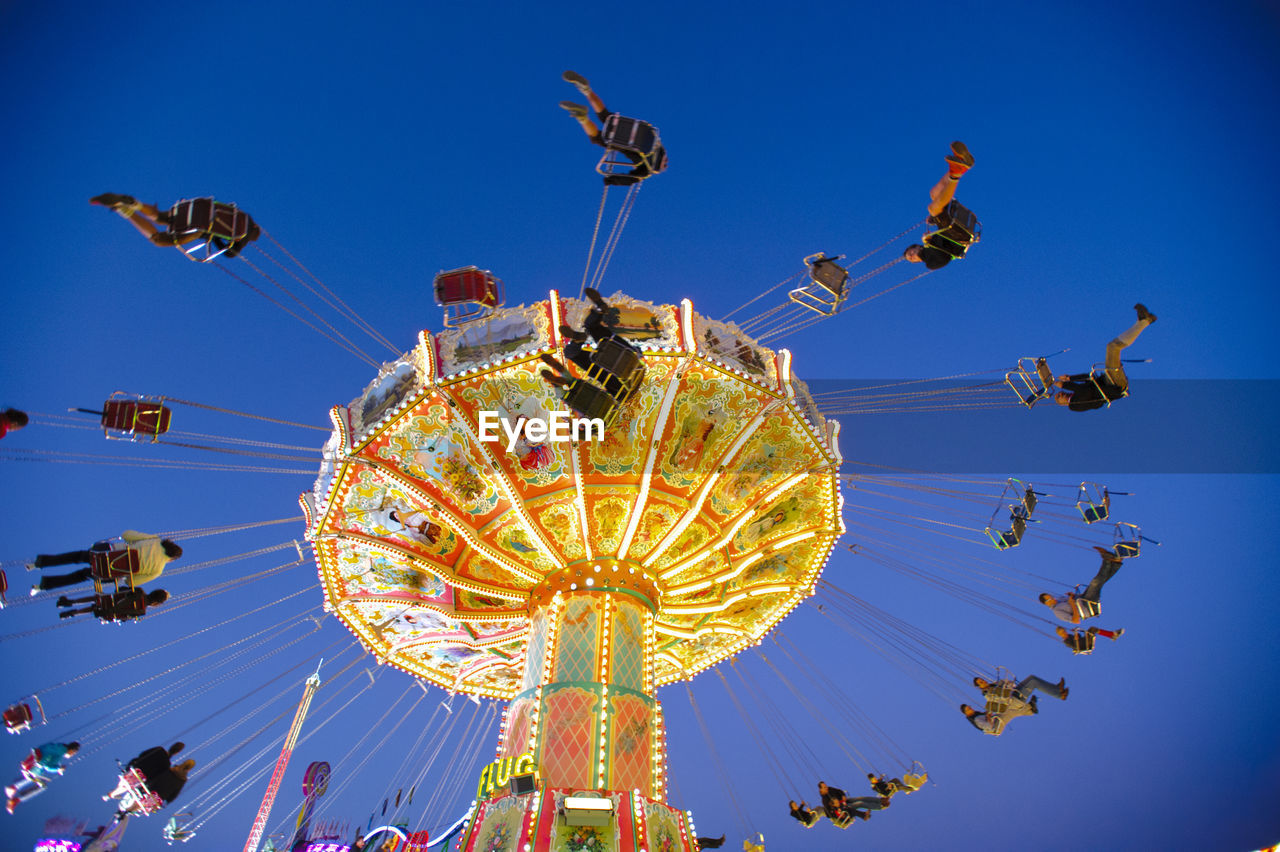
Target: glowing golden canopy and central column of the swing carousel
x=575, y=579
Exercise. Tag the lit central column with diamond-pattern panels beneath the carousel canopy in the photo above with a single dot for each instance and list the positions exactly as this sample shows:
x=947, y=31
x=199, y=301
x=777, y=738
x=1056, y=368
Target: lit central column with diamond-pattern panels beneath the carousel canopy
x=587, y=711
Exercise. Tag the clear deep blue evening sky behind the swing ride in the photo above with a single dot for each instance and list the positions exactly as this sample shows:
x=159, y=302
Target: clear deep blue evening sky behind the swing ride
x=1124, y=153
